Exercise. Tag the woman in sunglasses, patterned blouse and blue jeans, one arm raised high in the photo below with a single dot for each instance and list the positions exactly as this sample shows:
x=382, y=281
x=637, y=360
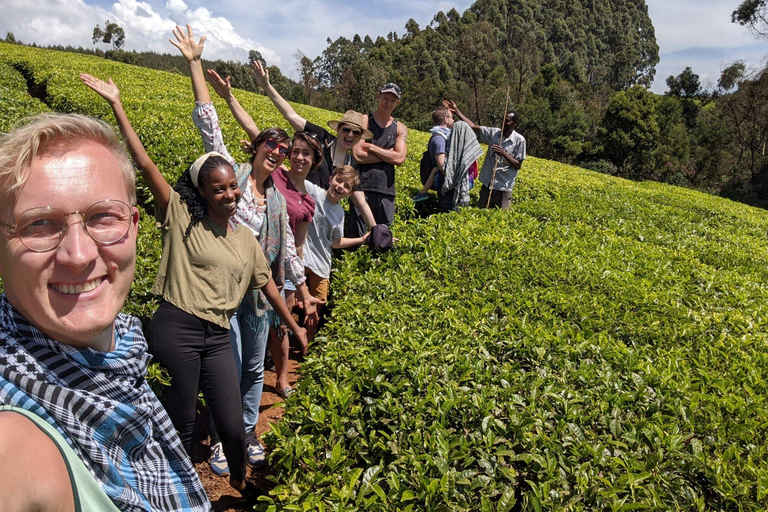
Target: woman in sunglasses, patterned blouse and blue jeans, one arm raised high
x=263, y=210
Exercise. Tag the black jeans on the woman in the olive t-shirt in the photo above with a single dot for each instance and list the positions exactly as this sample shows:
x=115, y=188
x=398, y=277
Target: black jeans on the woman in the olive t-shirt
x=198, y=355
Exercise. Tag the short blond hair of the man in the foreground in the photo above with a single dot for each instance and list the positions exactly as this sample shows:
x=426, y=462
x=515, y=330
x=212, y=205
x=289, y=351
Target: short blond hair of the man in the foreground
x=30, y=137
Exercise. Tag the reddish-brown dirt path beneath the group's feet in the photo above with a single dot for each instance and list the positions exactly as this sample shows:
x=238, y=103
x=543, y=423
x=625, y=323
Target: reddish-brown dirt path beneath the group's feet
x=222, y=496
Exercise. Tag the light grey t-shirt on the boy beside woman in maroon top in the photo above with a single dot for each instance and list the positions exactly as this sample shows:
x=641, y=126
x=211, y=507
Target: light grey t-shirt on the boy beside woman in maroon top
x=327, y=225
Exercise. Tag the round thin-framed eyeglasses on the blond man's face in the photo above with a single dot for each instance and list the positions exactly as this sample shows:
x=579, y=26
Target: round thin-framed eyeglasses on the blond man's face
x=41, y=229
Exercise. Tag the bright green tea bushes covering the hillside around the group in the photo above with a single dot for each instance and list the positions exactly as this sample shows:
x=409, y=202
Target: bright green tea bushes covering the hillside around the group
x=599, y=346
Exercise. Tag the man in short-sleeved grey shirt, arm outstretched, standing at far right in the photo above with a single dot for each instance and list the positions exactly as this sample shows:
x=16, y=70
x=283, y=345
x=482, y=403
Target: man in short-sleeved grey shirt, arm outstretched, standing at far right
x=506, y=152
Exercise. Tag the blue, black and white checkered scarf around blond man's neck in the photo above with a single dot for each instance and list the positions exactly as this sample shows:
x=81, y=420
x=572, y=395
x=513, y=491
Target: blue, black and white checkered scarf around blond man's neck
x=105, y=409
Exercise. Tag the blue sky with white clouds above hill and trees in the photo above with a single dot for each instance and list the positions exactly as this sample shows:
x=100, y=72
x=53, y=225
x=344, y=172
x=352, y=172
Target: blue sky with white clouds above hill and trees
x=696, y=33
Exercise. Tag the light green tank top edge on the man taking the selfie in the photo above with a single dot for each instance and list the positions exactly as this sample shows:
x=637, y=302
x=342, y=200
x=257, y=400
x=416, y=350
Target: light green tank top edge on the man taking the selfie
x=89, y=496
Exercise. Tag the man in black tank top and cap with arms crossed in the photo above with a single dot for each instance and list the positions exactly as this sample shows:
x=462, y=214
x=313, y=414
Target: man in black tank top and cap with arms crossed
x=377, y=159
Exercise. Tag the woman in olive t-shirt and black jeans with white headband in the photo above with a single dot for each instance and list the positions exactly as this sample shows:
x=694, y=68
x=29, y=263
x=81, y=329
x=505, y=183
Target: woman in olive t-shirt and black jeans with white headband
x=208, y=264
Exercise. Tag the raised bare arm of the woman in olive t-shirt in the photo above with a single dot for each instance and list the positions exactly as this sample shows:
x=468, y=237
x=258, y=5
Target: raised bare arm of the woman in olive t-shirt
x=160, y=188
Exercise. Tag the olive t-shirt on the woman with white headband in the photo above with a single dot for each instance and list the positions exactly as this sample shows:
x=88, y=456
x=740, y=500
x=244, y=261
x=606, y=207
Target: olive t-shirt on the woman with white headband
x=208, y=274
